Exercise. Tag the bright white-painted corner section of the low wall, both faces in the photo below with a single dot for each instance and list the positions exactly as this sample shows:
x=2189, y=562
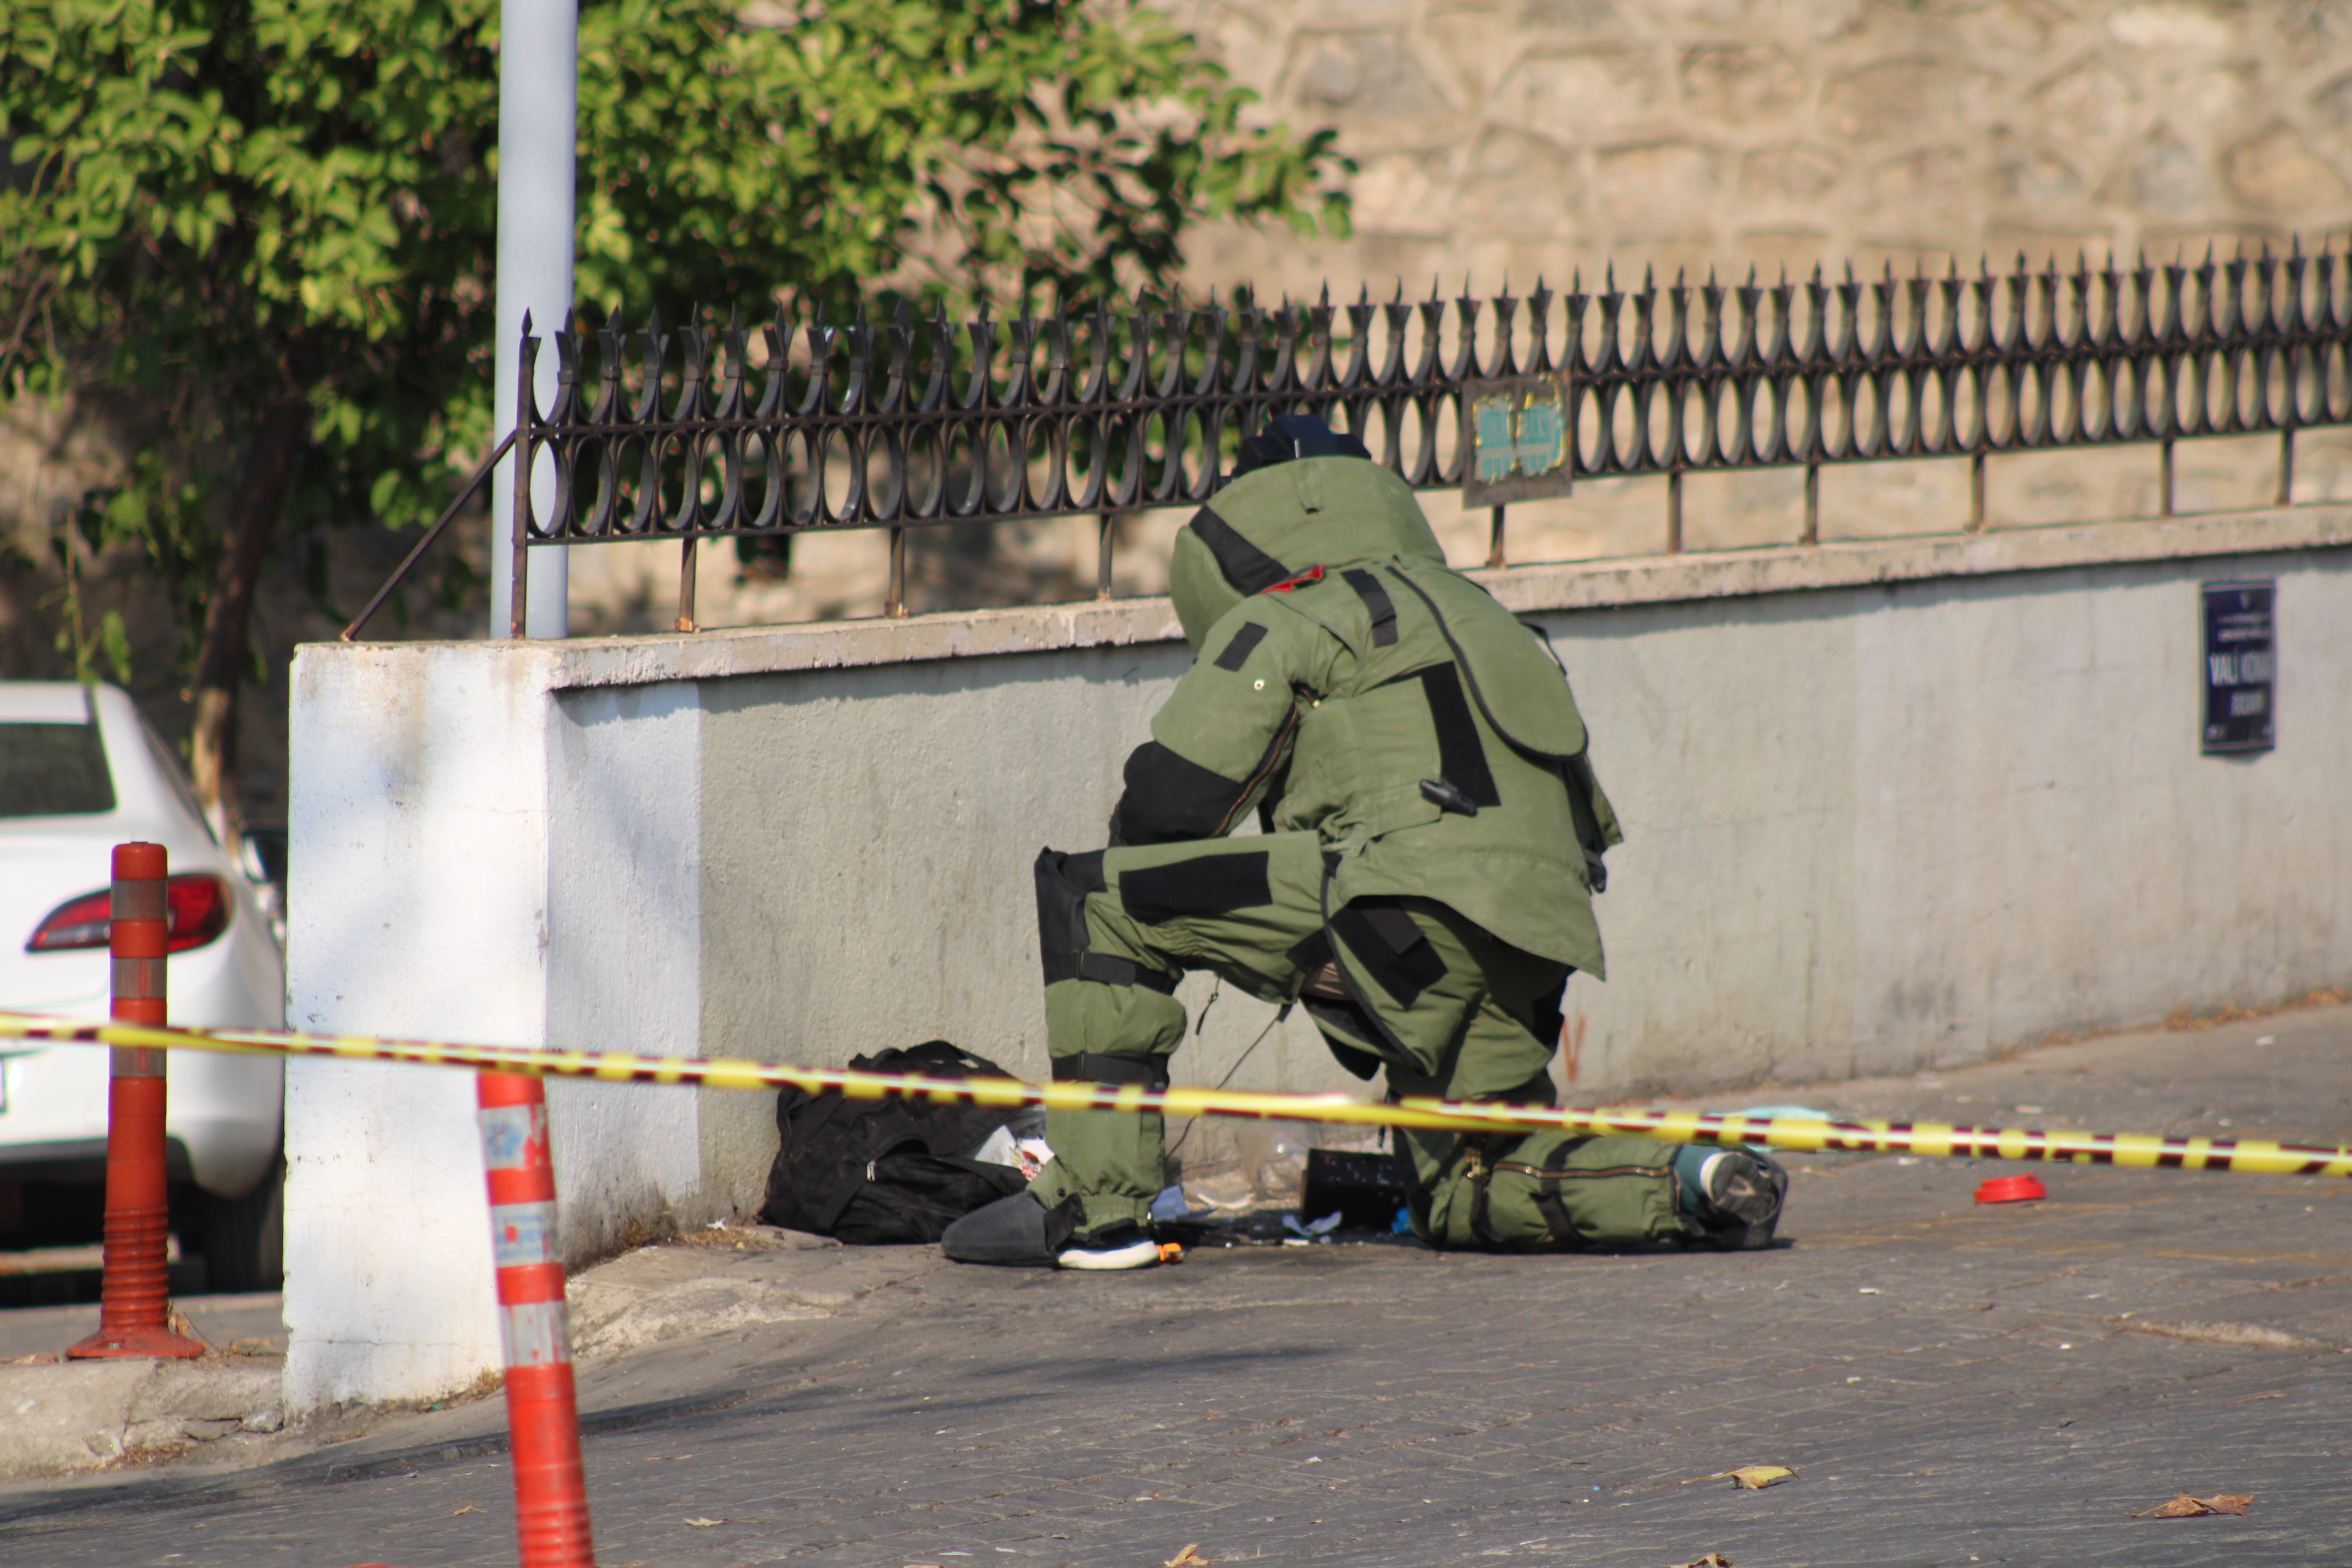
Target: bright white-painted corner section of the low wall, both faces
x=495, y=859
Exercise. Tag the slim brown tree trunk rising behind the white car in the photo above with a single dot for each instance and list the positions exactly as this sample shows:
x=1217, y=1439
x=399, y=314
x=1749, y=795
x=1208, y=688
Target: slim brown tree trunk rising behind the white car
x=220, y=662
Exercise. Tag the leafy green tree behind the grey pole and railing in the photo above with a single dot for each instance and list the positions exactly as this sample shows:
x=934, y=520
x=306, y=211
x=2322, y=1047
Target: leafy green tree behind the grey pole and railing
x=269, y=225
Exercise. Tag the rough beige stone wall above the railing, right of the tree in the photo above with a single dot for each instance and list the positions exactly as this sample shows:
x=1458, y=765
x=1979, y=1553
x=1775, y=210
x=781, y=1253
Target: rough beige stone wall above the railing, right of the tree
x=1551, y=135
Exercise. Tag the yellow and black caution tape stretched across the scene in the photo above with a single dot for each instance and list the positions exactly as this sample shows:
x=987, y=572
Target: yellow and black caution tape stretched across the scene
x=1791, y=1134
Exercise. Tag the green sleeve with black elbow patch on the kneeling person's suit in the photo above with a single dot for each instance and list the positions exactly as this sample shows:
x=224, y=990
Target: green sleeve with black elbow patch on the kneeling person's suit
x=1227, y=730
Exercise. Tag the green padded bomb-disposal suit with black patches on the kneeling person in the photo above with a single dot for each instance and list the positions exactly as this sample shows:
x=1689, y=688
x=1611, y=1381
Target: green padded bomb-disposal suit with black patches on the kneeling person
x=1422, y=885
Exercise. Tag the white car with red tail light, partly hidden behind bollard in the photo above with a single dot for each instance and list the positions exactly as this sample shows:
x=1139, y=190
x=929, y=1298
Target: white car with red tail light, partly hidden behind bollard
x=79, y=775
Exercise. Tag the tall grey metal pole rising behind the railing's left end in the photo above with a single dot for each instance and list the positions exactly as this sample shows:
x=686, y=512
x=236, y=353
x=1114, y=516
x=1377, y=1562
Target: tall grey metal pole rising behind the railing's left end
x=537, y=128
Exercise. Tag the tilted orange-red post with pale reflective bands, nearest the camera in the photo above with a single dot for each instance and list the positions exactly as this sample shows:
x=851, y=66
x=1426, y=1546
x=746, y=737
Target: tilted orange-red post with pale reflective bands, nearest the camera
x=542, y=1407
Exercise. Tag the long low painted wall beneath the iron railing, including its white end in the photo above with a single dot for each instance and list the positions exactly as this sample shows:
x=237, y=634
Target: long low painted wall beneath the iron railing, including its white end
x=1887, y=805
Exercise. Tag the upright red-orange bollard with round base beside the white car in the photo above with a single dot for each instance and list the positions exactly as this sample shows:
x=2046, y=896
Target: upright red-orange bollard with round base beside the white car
x=135, y=1296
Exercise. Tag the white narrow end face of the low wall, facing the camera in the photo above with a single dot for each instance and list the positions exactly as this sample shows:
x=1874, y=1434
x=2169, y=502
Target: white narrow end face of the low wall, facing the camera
x=420, y=812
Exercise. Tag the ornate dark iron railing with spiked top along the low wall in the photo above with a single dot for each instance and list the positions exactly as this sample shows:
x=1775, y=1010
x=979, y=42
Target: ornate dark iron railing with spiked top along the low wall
x=681, y=434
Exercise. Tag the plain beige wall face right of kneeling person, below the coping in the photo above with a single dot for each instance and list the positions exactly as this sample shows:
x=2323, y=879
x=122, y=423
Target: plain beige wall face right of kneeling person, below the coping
x=1897, y=826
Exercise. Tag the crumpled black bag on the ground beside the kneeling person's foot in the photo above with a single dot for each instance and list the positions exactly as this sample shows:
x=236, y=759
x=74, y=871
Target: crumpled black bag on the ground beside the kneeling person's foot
x=874, y=1172
